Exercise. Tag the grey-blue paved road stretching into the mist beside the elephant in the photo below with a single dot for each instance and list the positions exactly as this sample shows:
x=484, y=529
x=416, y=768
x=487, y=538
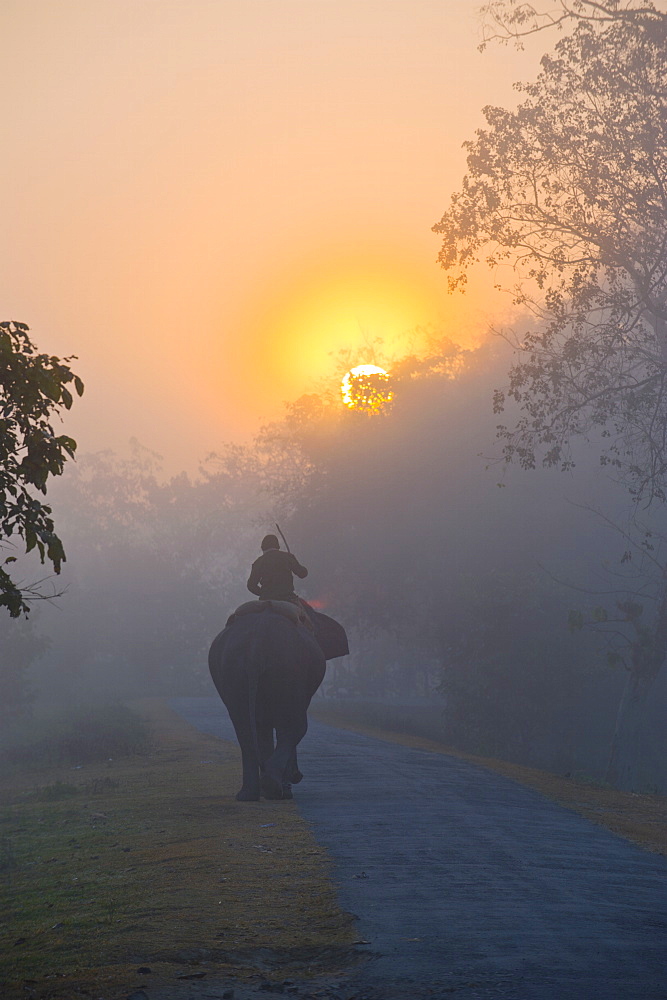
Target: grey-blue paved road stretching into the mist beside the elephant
x=470, y=885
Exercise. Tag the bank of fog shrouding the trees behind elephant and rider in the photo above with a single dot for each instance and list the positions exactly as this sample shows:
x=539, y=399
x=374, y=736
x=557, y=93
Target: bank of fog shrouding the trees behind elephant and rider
x=454, y=574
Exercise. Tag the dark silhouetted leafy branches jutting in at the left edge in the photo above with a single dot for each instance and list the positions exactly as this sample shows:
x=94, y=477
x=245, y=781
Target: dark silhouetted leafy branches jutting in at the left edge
x=34, y=388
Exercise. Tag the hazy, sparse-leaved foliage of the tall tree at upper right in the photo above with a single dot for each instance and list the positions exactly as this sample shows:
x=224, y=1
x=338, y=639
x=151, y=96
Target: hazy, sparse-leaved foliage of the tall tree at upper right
x=568, y=194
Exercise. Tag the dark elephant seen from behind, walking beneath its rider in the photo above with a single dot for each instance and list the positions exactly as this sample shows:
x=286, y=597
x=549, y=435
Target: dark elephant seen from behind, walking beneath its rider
x=266, y=667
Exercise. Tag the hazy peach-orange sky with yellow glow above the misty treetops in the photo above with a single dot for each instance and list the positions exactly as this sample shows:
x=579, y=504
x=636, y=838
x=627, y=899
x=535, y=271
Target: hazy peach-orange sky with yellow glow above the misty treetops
x=206, y=199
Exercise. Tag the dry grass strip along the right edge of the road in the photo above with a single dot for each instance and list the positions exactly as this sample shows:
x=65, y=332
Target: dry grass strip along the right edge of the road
x=641, y=819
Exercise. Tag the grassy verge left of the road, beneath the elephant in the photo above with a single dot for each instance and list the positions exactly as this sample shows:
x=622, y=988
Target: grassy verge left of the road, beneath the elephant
x=147, y=861
